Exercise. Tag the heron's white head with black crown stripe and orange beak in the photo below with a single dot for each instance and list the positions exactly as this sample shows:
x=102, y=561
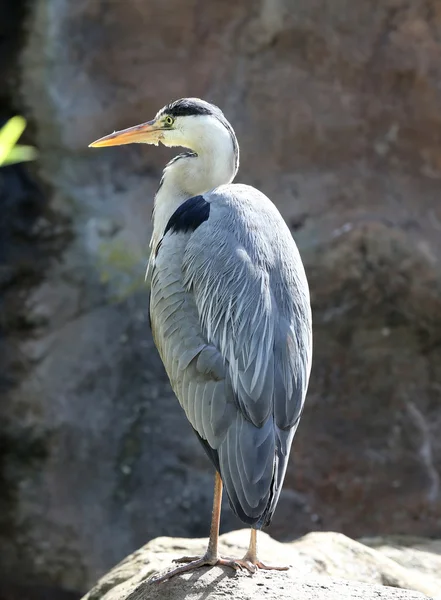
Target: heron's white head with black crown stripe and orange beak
x=189, y=122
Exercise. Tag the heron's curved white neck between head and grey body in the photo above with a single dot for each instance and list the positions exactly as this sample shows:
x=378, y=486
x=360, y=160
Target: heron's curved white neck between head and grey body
x=213, y=162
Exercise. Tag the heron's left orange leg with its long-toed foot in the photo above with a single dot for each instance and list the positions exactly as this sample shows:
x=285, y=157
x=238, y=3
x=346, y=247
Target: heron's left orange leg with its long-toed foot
x=211, y=556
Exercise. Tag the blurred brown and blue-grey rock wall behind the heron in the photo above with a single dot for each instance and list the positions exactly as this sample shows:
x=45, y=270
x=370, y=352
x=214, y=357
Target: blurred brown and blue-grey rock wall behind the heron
x=337, y=109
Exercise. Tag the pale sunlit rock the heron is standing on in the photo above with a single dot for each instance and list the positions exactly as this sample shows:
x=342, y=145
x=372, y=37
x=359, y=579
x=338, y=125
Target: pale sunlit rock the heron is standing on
x=322, y=566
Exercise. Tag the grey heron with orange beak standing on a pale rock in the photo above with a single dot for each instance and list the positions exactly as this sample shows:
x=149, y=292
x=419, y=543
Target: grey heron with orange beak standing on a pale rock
x=230, y=314
